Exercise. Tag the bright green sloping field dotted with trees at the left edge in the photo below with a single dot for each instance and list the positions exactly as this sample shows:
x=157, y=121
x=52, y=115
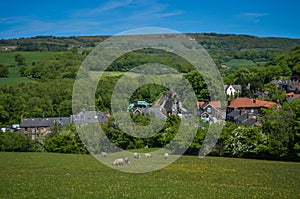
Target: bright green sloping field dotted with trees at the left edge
x=8, y=59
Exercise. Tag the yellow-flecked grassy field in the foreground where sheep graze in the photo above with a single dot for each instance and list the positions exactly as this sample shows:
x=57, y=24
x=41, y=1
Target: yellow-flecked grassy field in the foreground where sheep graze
x=47, y=175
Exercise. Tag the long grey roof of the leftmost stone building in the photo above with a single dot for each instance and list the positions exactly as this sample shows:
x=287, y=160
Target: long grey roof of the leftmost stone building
x=44, y=122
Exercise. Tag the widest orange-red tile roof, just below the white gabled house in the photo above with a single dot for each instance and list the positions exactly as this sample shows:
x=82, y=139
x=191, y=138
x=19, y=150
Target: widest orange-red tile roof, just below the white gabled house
x=249, y=103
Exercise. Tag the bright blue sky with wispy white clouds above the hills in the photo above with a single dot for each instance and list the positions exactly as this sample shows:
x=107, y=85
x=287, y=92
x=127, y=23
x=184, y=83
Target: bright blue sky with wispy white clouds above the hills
x=86, y=17
